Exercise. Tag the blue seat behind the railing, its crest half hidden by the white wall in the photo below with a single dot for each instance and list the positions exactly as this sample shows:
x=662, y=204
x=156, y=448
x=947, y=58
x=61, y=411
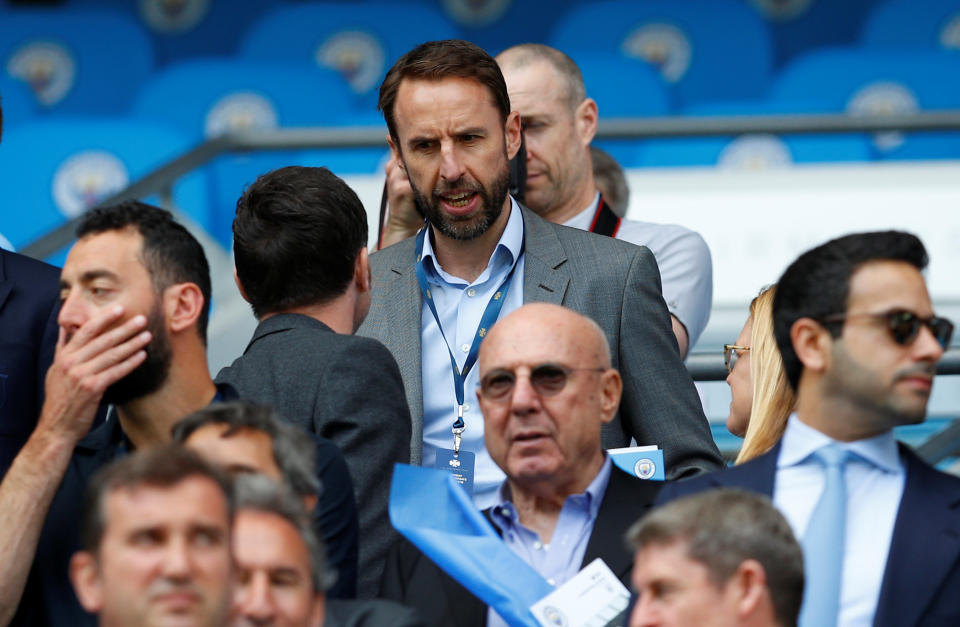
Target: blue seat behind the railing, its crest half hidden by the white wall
x=753, y=151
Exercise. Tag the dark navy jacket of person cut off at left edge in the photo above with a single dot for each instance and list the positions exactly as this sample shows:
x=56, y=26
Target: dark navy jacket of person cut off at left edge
x=29, y=305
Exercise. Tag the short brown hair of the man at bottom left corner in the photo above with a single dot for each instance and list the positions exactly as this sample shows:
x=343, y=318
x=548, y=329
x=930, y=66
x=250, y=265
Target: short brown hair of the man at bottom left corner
x=161, y=467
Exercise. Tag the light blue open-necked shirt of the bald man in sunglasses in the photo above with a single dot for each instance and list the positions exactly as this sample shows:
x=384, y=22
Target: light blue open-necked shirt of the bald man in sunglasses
x=559, y=560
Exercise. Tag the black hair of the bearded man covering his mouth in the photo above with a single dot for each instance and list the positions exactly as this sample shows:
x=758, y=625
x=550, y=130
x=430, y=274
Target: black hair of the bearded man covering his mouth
x=170, y=253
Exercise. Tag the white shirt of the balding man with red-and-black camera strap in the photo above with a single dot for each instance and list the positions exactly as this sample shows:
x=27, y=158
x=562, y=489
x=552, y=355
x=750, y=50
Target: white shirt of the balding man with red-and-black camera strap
x=686, y=269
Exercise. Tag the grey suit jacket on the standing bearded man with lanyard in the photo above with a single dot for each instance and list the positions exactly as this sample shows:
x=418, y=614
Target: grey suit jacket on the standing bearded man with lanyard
x=613, y=282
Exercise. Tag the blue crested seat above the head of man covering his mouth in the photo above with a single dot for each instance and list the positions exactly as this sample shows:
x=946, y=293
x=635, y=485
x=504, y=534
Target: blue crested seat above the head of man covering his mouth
x=56, y=168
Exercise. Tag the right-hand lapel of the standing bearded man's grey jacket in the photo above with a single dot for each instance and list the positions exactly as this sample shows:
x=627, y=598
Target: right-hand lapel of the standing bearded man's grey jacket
x=545, y=277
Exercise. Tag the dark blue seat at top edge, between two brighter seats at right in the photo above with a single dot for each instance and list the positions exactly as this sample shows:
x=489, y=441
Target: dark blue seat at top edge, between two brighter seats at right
x=797, y=26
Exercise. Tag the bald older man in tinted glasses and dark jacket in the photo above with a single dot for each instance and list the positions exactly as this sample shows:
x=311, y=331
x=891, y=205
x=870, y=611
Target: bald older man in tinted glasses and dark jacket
x=546, y=389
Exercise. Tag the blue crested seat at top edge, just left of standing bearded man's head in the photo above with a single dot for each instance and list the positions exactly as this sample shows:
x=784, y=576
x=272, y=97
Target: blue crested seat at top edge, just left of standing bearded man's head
x=361, y=41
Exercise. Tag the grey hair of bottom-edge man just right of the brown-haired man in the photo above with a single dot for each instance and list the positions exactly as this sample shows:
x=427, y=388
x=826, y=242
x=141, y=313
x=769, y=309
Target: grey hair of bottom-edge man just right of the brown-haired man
x=262, y=494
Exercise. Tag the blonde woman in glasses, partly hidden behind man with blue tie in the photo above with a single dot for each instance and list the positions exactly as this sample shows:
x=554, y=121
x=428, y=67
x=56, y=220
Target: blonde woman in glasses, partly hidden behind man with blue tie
x=761, y=398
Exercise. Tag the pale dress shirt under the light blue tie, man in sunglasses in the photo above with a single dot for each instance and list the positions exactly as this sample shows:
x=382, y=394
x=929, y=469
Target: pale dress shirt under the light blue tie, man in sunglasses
x=875, y=478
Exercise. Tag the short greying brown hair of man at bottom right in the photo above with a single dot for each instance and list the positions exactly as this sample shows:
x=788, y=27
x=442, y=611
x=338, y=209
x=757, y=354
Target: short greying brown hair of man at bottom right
x=721, y=529
